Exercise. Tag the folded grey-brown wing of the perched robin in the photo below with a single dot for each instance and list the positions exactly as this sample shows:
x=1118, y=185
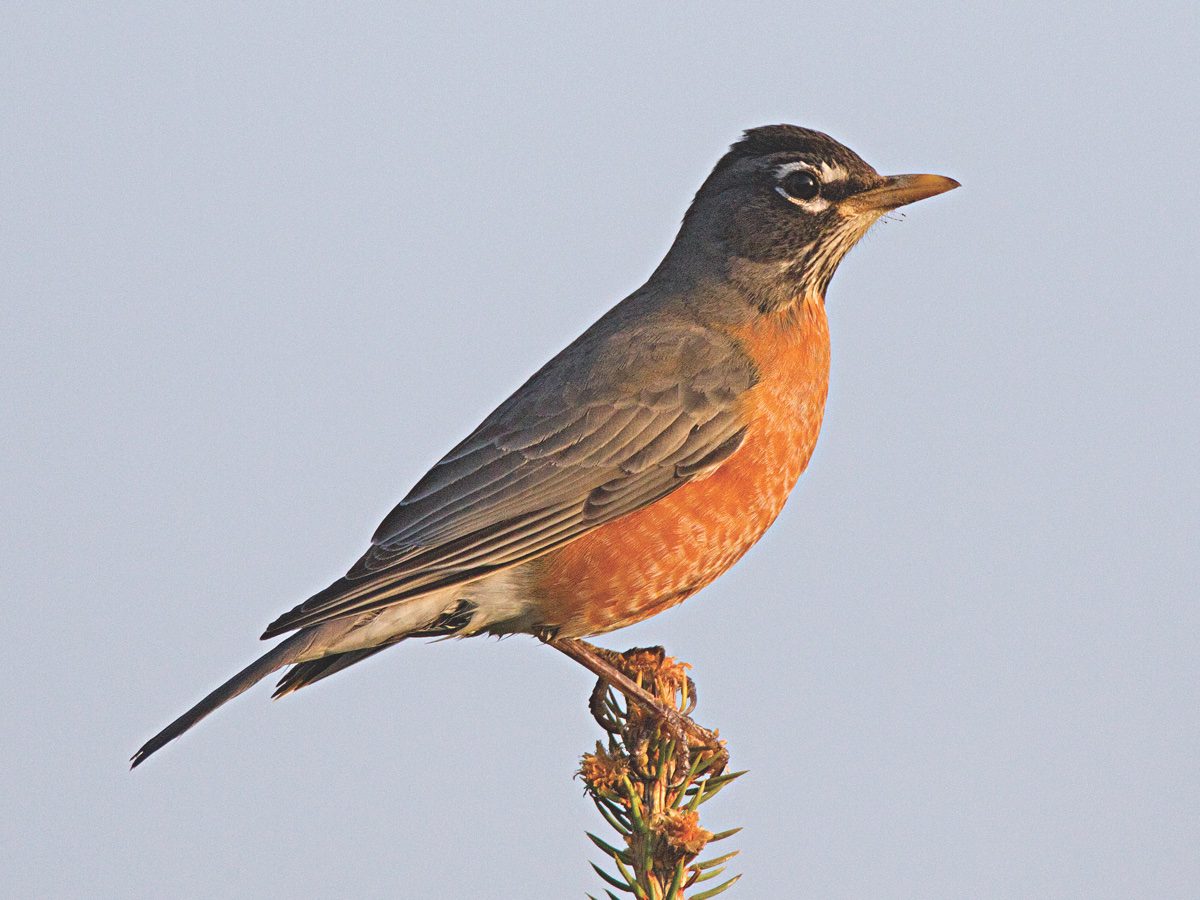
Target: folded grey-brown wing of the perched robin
x=608, y=428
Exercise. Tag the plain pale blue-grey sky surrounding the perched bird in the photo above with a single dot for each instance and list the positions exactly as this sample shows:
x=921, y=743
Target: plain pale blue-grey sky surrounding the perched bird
x=262, y=267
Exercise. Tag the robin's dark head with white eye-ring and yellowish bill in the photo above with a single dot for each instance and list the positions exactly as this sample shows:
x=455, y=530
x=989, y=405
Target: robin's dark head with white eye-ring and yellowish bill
x=785, y=205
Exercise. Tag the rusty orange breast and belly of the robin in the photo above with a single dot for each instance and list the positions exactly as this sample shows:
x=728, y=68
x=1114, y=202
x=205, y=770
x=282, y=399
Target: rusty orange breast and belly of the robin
x=652, y=560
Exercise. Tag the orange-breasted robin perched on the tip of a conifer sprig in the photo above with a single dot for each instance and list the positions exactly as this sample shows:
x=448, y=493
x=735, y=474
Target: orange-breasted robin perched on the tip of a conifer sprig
x=643, y=461
